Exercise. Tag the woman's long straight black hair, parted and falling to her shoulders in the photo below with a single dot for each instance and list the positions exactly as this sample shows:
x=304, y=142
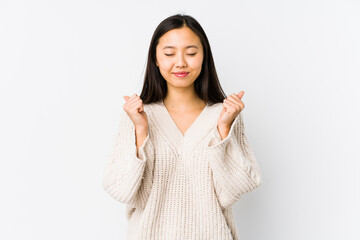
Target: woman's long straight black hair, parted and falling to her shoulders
x=207, y=85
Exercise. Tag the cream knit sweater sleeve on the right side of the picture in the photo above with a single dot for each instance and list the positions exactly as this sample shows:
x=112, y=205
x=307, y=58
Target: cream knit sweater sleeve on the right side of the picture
x=233, y=164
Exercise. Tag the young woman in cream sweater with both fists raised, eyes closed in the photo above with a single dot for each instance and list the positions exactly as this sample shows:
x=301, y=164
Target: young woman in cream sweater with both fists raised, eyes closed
x=181, y=158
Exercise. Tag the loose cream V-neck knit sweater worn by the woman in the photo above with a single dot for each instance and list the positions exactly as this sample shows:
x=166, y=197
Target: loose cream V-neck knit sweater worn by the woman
x=181, y=186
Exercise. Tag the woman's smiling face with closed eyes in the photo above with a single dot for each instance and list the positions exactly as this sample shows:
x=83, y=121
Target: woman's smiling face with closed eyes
x=179, y=51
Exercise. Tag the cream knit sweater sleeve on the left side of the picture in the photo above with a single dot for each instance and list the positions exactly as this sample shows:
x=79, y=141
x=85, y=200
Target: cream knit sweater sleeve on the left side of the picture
x=128, y=177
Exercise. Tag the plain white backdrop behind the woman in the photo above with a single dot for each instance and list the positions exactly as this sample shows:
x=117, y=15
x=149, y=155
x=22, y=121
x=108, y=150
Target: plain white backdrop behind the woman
x=66, y=65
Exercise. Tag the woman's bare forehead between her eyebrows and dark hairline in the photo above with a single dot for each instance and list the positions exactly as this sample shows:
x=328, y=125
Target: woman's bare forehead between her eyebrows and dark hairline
x=179, y=38
